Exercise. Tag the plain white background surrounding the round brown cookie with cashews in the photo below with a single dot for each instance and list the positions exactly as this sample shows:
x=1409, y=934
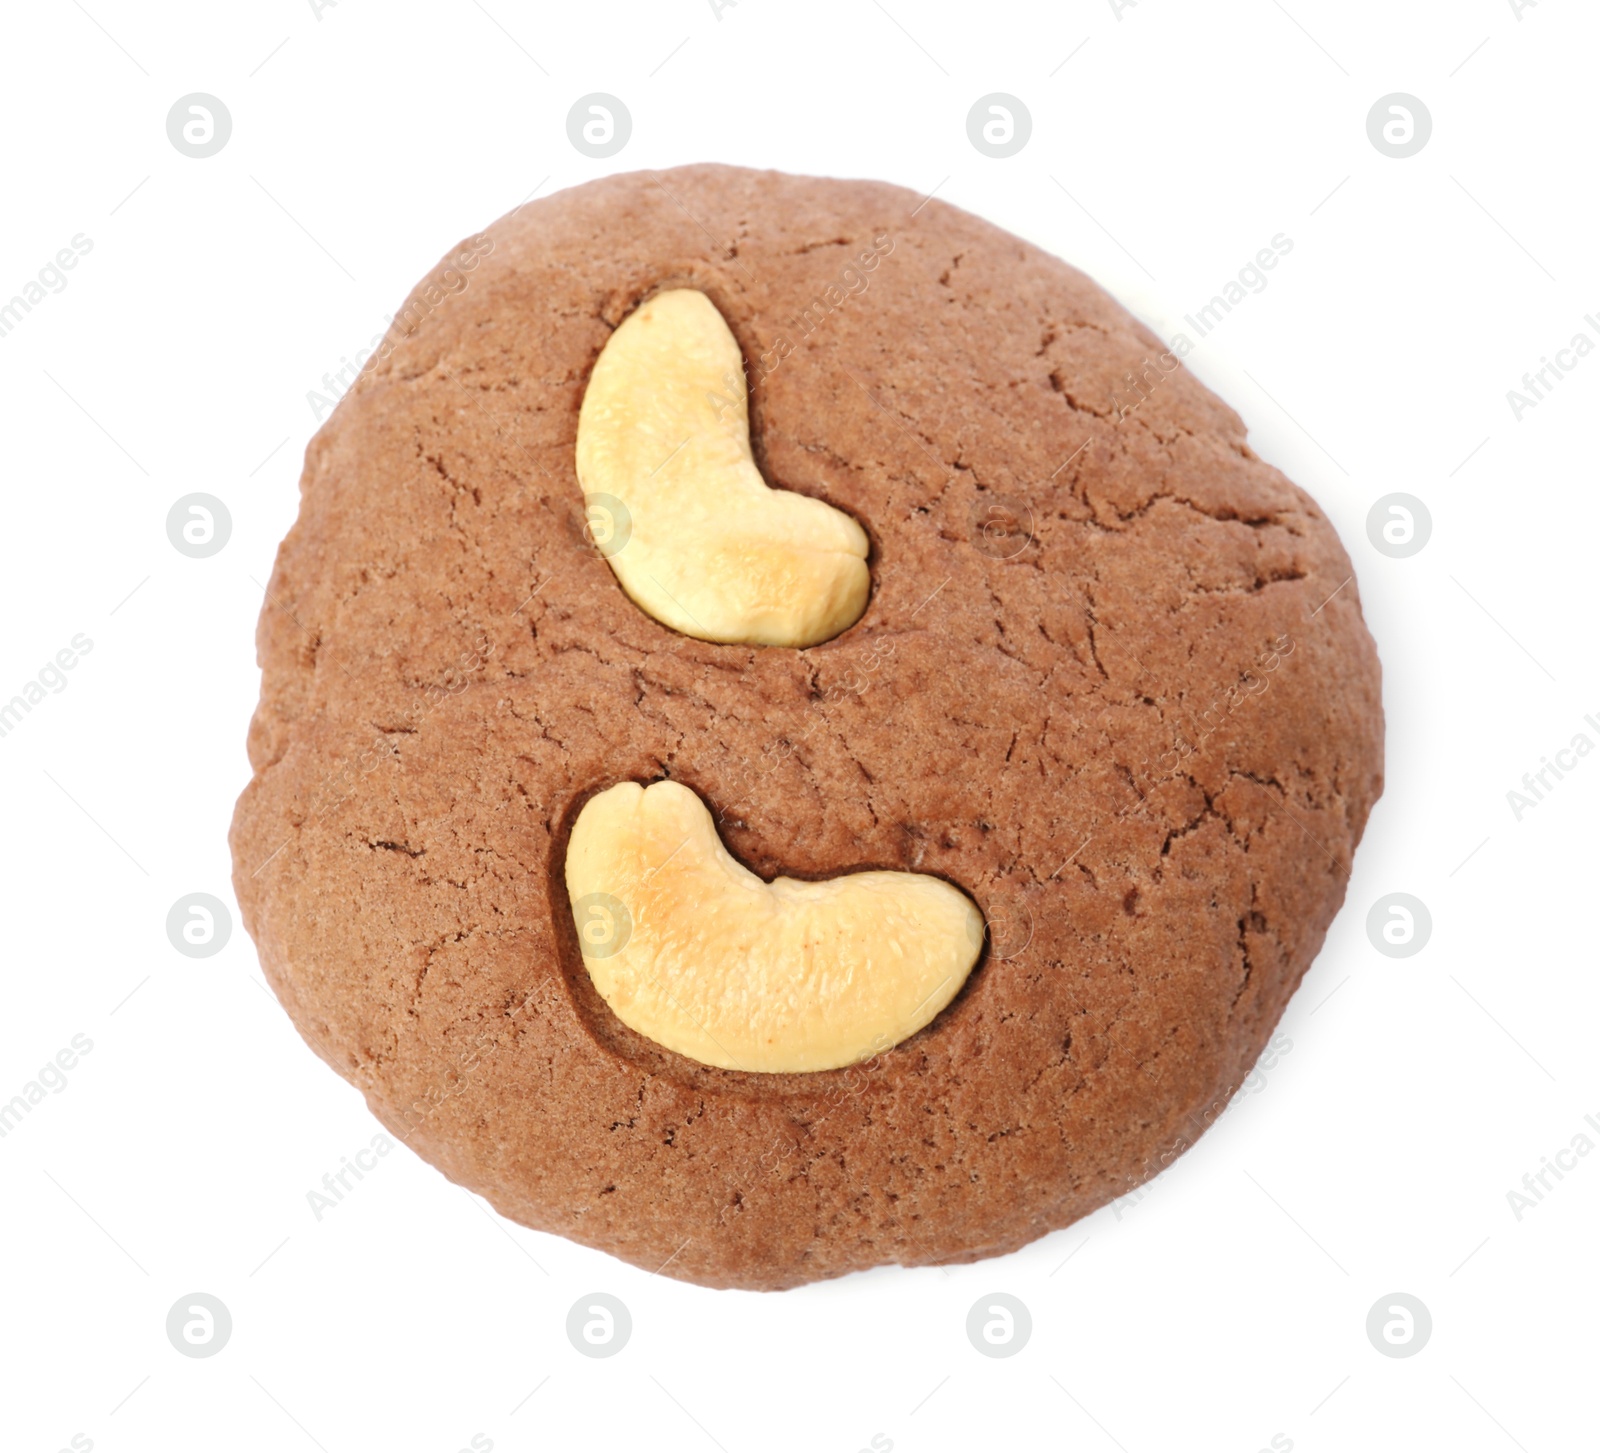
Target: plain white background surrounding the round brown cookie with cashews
x=1230, y=1303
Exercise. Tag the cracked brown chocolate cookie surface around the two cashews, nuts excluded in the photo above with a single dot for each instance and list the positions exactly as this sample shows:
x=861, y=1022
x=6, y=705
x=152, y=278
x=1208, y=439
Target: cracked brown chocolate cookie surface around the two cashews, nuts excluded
x=1092, y=687
